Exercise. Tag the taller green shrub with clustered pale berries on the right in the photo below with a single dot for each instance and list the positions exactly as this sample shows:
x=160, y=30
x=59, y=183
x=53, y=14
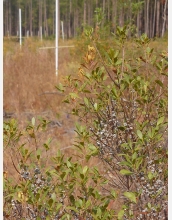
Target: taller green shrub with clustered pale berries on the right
x=122, y=102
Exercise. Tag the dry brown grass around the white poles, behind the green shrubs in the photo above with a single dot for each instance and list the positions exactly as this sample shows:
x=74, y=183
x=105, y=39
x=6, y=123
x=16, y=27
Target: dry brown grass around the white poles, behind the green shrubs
x=29, y=90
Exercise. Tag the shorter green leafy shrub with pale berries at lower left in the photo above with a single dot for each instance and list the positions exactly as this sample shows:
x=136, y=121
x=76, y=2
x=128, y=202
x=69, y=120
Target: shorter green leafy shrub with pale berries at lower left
x=45, y=186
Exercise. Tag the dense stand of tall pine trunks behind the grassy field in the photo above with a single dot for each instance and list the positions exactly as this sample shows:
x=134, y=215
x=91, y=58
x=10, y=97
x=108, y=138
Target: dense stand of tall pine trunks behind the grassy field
x=146, y=16
